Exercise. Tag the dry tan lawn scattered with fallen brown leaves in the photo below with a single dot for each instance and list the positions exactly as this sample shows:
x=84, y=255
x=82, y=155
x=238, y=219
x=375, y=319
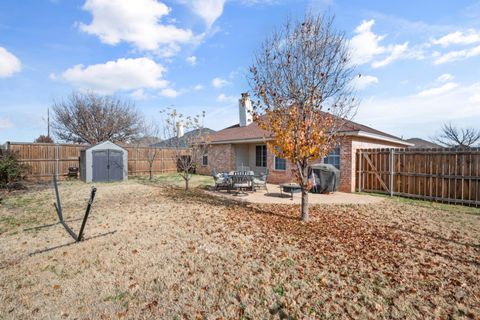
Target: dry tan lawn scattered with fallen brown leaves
x=154, y=251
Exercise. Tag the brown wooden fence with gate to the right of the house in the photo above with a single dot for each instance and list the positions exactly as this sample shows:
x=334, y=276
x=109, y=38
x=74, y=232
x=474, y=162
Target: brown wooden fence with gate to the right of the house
x=444, y=175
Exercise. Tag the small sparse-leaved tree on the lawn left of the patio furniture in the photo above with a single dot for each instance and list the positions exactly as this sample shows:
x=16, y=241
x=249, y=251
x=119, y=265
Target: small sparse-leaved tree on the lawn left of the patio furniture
x=190, y=147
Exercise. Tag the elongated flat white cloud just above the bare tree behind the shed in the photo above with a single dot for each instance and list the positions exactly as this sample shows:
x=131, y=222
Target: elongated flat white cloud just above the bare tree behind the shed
x=118, y=75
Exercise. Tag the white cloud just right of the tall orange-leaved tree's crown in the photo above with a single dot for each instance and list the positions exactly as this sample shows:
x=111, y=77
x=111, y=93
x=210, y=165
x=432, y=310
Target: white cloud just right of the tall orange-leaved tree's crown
x=366, y=47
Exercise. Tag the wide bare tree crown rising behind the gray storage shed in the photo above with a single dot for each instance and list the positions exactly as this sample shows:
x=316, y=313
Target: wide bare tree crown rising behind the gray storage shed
x=91, y=118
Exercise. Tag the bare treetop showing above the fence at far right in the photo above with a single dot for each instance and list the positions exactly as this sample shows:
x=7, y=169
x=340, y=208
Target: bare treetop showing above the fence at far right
x=453, y=137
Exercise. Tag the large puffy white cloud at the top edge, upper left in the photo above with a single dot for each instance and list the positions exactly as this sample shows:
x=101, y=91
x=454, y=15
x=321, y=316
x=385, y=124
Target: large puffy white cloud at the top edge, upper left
x=136, y=22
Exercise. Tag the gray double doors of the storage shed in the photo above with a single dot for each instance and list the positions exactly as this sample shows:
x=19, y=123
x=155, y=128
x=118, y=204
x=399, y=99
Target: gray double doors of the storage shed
x=107, y=165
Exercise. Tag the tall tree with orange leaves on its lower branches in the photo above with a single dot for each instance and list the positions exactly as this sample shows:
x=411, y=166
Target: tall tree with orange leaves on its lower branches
x=302, y=78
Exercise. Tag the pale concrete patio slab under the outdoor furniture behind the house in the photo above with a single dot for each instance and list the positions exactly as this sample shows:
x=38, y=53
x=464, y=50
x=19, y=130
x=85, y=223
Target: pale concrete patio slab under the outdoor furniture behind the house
x=274, y=196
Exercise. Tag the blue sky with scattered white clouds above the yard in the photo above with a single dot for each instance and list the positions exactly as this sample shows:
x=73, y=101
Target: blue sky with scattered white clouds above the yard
x=419, y=60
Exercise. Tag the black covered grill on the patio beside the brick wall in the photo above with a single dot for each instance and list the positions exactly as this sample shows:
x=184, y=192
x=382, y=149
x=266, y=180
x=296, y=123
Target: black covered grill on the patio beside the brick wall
x=325, y=178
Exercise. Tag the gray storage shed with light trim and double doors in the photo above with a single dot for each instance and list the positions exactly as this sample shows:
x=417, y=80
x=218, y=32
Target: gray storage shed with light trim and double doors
x=104, y=162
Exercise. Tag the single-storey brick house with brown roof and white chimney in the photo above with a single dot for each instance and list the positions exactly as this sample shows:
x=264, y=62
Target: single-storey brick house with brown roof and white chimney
x=243, y=144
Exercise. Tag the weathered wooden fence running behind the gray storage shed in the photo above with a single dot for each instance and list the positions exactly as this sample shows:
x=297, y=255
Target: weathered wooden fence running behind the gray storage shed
x=47, y=159
